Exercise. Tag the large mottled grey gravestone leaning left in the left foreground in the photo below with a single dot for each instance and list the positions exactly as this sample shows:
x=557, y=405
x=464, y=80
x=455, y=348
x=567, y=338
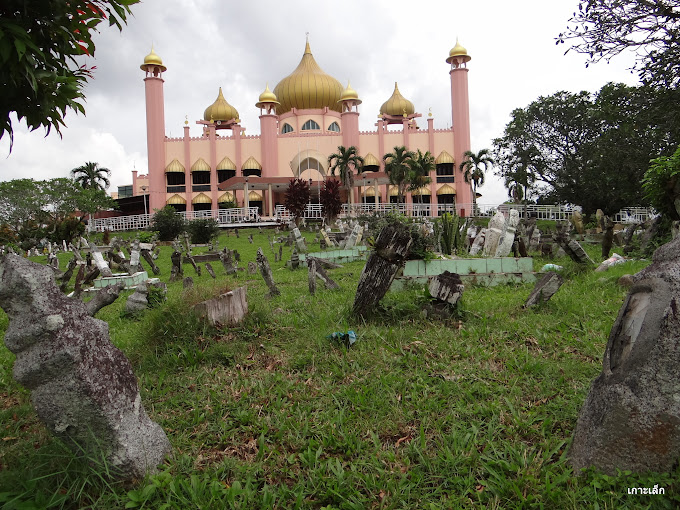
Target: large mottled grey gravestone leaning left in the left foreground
x=82, y=387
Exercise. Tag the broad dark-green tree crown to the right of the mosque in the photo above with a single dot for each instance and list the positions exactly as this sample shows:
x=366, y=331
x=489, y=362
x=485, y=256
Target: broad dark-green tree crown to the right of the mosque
x=589, y=149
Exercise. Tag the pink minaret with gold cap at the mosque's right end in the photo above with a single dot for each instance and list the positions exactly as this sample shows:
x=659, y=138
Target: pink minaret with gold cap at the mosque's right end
x=460, y=117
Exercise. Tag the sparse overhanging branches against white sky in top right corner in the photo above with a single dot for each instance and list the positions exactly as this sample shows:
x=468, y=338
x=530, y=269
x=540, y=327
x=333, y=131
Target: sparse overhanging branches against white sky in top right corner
x=603, y=29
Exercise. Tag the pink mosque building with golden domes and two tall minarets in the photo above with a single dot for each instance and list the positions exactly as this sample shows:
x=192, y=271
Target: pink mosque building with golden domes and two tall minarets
x=302, y=121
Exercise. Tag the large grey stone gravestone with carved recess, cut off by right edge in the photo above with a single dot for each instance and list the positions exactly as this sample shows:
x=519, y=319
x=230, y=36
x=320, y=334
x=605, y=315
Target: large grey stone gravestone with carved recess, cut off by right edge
x=631, y=417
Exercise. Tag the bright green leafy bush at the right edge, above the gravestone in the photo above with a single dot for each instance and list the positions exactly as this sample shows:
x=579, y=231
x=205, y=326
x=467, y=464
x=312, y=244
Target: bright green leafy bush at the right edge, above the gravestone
x=662, y=184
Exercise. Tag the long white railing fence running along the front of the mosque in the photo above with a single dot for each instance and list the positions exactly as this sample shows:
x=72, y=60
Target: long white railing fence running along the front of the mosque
x=240, y=215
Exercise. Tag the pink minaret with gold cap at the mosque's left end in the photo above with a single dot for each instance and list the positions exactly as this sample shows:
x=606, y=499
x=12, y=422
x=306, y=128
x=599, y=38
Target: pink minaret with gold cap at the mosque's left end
x=155, y=128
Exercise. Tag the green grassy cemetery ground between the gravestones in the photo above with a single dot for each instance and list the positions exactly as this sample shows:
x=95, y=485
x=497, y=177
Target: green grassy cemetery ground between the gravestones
x=476, y=412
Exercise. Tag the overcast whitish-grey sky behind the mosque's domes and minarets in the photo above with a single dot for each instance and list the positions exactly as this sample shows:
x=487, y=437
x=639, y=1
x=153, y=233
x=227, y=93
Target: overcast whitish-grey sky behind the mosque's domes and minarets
x=241, y=46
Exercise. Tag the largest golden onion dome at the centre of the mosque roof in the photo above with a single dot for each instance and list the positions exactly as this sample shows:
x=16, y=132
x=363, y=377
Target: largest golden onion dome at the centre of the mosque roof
x=308, y=87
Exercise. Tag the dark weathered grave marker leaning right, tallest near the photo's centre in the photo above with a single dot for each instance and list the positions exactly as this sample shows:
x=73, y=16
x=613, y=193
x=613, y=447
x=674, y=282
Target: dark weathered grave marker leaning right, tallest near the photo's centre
x=390, y=250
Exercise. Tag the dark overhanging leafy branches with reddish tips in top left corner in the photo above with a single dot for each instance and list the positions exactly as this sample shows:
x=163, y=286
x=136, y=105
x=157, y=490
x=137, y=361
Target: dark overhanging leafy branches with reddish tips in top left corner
x=41, y=69
